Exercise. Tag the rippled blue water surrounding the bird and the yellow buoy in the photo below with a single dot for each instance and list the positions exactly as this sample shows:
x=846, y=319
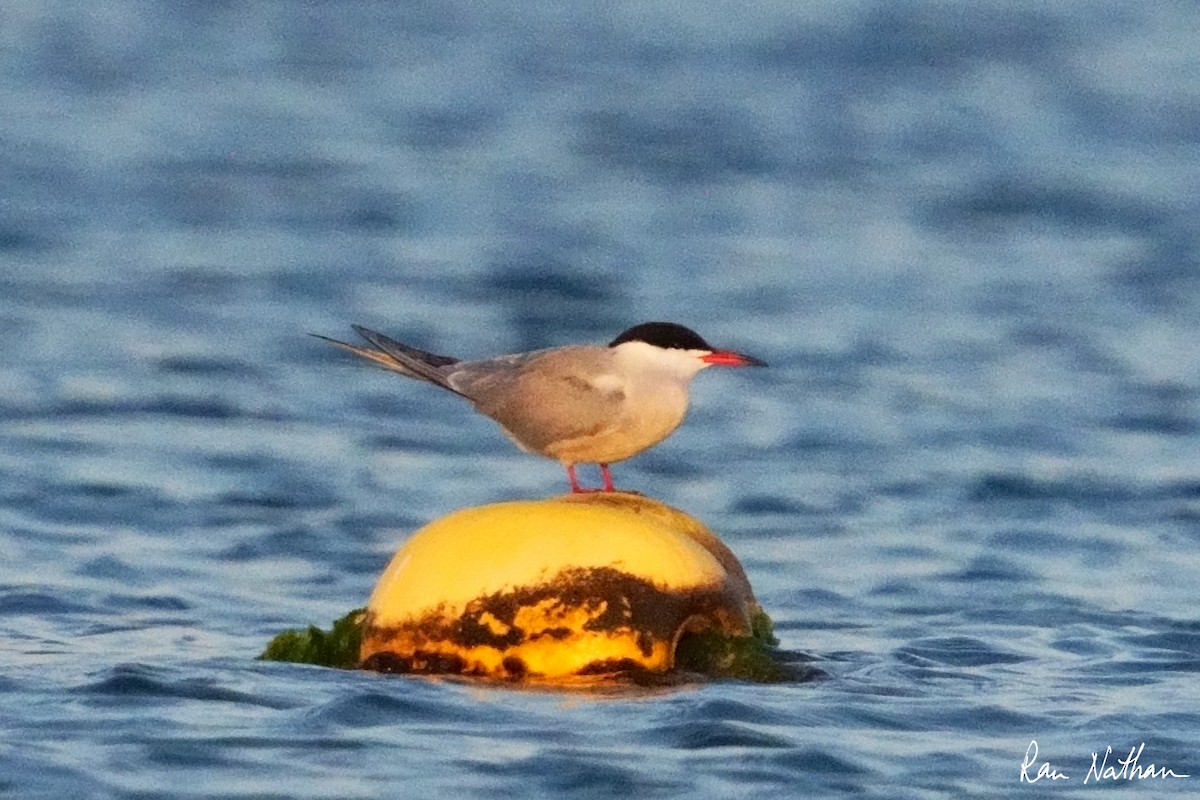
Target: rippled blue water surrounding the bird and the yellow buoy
x=965, y=236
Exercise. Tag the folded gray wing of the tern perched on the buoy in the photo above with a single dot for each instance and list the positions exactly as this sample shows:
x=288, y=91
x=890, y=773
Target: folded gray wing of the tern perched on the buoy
x=543, y=399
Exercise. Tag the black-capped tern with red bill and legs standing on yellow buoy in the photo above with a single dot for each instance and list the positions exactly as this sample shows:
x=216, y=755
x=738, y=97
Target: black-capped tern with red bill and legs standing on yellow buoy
x=578, y=405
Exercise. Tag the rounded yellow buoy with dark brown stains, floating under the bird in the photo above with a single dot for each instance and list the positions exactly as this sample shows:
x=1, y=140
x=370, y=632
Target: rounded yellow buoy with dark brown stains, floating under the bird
x=565, y=590
